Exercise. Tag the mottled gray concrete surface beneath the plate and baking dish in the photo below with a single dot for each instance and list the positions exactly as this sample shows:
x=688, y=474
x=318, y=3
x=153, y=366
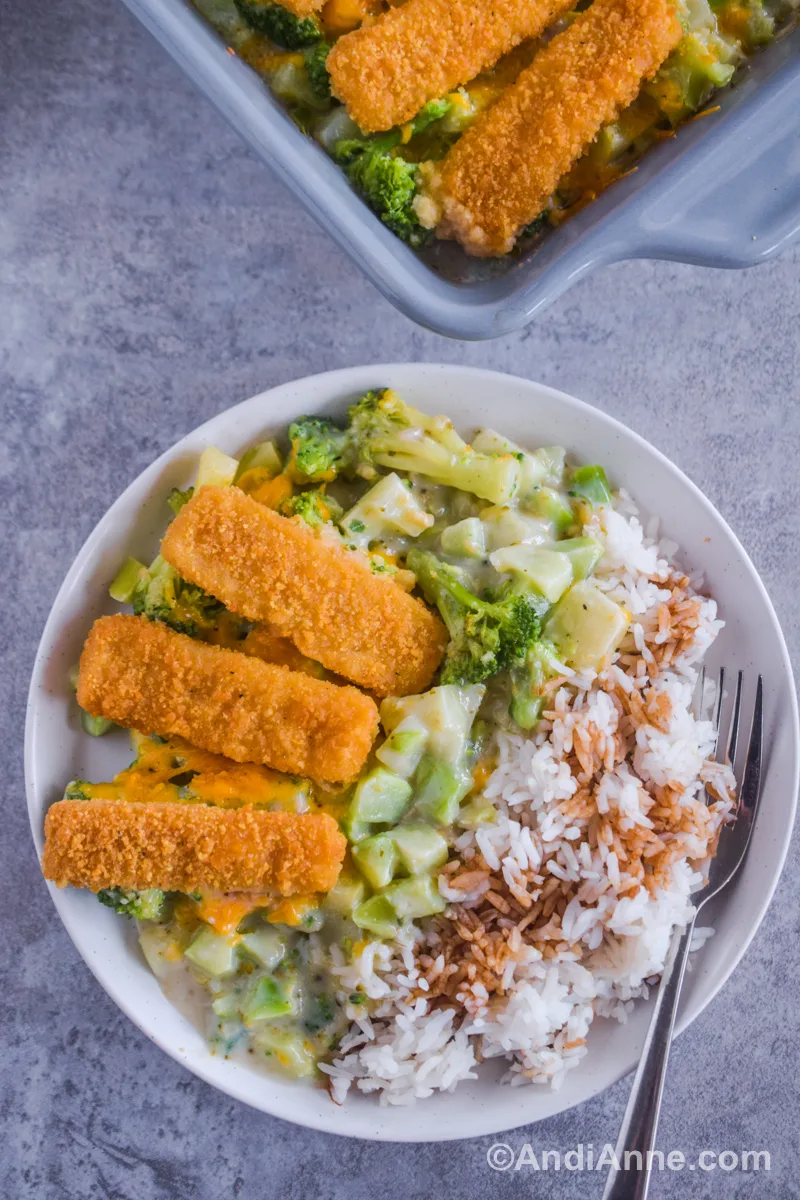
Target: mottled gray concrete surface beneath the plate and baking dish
x=152, y=273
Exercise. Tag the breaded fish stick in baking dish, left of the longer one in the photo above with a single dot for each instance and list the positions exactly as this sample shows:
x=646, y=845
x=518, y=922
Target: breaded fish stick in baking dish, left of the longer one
x=386, y=73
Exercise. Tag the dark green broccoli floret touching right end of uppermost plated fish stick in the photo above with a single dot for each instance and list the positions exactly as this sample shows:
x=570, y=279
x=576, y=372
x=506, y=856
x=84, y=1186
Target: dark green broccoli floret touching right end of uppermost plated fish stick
x=485, y=638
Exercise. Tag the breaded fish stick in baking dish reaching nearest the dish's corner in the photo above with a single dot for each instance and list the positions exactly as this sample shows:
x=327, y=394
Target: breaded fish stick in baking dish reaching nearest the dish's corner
x=500, y=175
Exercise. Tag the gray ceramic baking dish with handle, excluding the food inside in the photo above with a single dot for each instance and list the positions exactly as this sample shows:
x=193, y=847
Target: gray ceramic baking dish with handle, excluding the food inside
x=724, y=193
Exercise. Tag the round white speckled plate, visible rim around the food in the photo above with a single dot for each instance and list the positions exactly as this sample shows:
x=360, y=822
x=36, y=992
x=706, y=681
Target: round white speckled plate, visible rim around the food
x=57, y=751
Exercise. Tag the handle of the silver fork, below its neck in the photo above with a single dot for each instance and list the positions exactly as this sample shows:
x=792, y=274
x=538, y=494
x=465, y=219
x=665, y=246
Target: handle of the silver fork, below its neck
x=641, y=1120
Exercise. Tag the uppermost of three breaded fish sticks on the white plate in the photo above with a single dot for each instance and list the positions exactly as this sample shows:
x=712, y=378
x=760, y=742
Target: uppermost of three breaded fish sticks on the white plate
x=334, y=609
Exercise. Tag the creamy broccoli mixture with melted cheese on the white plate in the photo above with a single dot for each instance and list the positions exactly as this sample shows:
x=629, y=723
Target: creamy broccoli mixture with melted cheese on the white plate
x=495, y=539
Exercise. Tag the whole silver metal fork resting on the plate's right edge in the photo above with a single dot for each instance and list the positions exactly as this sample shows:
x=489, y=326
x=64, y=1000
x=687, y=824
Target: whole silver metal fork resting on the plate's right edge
x=637, y=1133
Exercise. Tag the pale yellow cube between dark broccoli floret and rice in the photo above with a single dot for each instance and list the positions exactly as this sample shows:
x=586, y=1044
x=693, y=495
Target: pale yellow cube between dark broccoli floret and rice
x=586, y=627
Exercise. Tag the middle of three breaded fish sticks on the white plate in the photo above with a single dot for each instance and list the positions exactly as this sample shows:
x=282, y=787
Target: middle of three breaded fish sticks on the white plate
x=147, y=677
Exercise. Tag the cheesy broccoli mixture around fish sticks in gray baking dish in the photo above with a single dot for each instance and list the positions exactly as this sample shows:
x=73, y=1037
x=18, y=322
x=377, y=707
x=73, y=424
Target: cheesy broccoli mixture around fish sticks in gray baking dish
x=290, y=55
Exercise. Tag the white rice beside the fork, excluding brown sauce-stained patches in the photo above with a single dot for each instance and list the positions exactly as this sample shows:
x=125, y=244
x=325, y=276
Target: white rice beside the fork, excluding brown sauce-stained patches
x=618, y=932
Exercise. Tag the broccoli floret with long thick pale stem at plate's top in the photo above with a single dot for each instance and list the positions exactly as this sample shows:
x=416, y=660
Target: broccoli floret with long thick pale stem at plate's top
x=388, y=433
